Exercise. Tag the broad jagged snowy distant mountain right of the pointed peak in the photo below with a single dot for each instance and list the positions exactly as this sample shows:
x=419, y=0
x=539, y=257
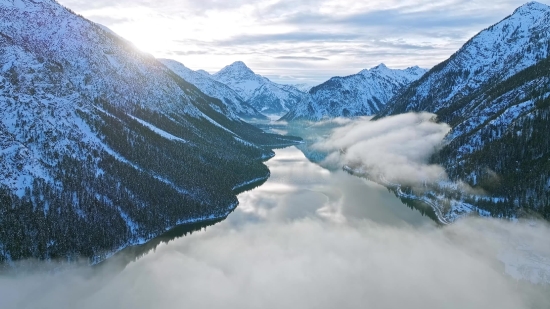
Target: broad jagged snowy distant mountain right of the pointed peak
x=360, y=94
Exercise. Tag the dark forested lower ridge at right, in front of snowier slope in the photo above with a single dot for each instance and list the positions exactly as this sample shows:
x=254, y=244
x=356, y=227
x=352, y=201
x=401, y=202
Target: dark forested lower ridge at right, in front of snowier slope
x=504, y=146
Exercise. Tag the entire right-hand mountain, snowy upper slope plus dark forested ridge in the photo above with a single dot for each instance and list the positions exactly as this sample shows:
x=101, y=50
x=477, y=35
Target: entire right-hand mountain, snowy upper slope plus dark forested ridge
x=494, y=92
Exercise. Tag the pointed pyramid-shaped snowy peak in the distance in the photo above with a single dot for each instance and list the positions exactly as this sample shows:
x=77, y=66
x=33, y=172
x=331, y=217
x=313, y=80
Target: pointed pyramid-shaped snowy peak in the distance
x=258, y=91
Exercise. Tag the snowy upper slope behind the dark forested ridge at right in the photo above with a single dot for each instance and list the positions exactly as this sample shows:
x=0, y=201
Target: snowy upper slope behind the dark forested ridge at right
x=495, y=54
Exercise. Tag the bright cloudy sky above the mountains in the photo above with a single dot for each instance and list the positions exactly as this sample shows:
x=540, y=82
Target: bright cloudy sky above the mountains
x=298, y=40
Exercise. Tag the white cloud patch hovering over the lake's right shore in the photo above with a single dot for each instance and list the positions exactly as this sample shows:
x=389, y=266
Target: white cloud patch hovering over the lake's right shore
x=397, y=147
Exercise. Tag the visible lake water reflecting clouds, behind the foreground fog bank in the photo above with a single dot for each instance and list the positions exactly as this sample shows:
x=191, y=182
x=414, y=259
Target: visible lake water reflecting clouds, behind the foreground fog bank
x=298, y=189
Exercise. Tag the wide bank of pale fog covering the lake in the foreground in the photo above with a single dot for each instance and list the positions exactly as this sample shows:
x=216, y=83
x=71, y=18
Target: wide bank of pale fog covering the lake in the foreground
x=308, y=263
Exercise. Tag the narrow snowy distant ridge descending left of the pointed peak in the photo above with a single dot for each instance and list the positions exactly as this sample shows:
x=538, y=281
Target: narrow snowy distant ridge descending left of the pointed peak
x=202, y=80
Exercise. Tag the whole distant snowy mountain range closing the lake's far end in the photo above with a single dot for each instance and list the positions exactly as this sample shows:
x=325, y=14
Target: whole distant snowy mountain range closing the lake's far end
x=247, y=93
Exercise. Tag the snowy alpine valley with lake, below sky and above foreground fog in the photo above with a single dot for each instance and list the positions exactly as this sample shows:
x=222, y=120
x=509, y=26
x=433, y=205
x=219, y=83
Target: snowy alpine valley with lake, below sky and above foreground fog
x=121, y=151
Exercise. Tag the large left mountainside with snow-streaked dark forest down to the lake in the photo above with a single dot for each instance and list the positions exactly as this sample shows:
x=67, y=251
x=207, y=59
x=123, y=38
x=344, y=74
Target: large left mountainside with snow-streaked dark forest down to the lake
x=101, y=145
